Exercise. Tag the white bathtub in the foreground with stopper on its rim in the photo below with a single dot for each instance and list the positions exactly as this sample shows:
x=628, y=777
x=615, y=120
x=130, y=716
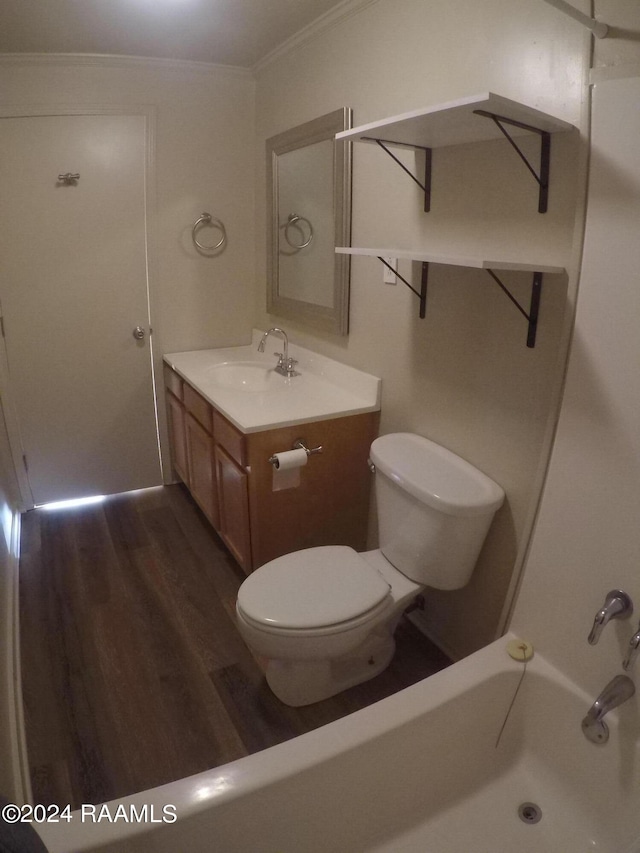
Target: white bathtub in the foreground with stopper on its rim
x=433, y=769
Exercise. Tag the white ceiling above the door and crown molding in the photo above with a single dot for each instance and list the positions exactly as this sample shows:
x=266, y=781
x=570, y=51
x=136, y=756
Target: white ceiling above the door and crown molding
x=227, y=32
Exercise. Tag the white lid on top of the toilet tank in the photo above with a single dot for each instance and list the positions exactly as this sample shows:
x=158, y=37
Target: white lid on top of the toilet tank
x=435, y=475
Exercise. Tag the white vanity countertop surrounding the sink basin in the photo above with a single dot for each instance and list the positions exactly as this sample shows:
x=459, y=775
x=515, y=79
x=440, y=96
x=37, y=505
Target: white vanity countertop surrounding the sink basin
x=325, y=388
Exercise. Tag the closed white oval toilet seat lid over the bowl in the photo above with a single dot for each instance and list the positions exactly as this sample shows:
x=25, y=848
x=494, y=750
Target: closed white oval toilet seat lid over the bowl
x=315, y=591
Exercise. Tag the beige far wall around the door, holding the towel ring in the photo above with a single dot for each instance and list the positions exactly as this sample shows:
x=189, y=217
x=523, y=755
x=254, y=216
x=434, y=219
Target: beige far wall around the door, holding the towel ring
x=204, y=161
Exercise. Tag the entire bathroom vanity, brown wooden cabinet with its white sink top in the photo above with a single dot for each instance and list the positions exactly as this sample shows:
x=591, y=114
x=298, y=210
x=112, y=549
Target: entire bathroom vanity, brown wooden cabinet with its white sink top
x=229, y=412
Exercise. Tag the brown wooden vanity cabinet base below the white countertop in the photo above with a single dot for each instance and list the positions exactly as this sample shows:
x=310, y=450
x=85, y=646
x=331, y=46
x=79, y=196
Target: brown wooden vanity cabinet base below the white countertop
x=230, y=477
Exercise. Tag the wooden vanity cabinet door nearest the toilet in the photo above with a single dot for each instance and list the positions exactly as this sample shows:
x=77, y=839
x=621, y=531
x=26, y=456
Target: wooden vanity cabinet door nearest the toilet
x=233, y=494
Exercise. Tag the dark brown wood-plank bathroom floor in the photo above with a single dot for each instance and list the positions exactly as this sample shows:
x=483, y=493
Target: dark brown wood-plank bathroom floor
x=133, y=672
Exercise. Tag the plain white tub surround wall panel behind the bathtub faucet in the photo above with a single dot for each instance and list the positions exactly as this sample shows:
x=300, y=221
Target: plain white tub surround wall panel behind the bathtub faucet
x=596, y=539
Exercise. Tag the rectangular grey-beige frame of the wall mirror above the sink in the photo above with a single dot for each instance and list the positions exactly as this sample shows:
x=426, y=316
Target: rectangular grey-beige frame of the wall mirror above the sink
x=335, y=318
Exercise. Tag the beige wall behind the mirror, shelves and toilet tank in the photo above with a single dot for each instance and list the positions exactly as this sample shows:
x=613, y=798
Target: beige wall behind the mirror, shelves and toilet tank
x=463, y=376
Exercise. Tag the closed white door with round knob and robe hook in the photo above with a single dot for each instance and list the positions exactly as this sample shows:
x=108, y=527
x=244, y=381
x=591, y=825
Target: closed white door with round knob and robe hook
x=73, y=287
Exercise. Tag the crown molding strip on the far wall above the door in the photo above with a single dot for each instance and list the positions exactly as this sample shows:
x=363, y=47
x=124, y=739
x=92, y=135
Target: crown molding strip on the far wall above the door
x=99, y=60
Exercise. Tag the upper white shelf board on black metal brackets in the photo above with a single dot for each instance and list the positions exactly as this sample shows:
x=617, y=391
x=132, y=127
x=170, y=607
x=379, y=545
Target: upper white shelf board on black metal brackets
x=455, y=123
